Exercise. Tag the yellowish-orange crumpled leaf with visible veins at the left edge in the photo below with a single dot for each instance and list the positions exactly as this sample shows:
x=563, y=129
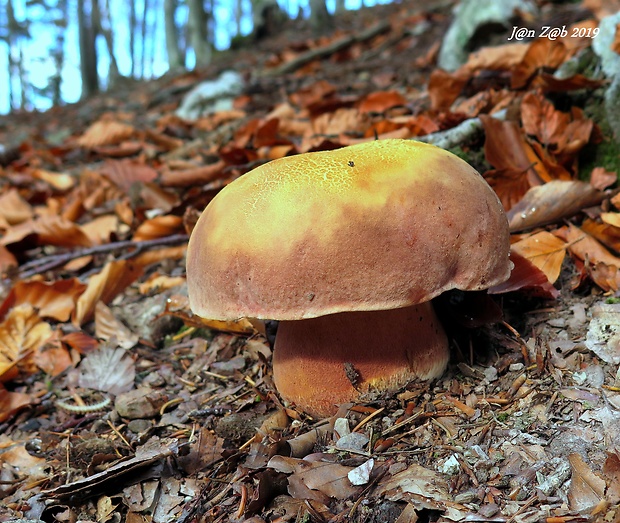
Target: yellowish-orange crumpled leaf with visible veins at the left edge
x=21, y=334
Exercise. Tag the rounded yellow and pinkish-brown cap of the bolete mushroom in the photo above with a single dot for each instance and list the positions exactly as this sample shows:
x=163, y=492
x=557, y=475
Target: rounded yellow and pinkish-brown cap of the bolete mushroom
x=374, y=226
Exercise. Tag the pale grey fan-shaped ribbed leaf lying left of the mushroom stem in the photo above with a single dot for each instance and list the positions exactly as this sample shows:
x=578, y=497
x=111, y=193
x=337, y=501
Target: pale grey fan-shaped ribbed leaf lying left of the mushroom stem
x=108, y=370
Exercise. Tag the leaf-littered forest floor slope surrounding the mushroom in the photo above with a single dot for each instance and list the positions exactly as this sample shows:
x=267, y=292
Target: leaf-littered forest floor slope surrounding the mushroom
x=116, y=404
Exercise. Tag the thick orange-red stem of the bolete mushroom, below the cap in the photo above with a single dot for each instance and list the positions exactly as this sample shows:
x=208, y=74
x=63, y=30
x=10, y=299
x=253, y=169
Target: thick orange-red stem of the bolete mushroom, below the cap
x=321, y=362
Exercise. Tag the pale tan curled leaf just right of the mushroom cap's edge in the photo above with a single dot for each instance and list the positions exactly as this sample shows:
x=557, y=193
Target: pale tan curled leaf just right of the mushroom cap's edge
x=551, y=202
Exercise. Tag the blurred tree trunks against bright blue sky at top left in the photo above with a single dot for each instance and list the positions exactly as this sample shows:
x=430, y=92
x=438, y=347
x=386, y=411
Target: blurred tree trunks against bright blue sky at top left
x=58, y=51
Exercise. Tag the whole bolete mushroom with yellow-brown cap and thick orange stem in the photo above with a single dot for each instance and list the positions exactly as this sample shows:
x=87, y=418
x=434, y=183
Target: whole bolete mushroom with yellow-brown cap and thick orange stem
x=346, y=248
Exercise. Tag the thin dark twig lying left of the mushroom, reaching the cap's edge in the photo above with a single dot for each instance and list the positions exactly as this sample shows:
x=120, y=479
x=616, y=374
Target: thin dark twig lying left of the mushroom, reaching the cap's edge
x=31, y=268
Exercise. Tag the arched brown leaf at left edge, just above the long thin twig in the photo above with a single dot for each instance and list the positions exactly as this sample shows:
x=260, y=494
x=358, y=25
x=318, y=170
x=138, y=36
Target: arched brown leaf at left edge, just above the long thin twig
x=50, y=230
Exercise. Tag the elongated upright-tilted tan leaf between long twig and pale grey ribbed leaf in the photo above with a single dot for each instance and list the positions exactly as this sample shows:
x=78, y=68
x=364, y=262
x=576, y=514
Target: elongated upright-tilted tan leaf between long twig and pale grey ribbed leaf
x=111, y=281
